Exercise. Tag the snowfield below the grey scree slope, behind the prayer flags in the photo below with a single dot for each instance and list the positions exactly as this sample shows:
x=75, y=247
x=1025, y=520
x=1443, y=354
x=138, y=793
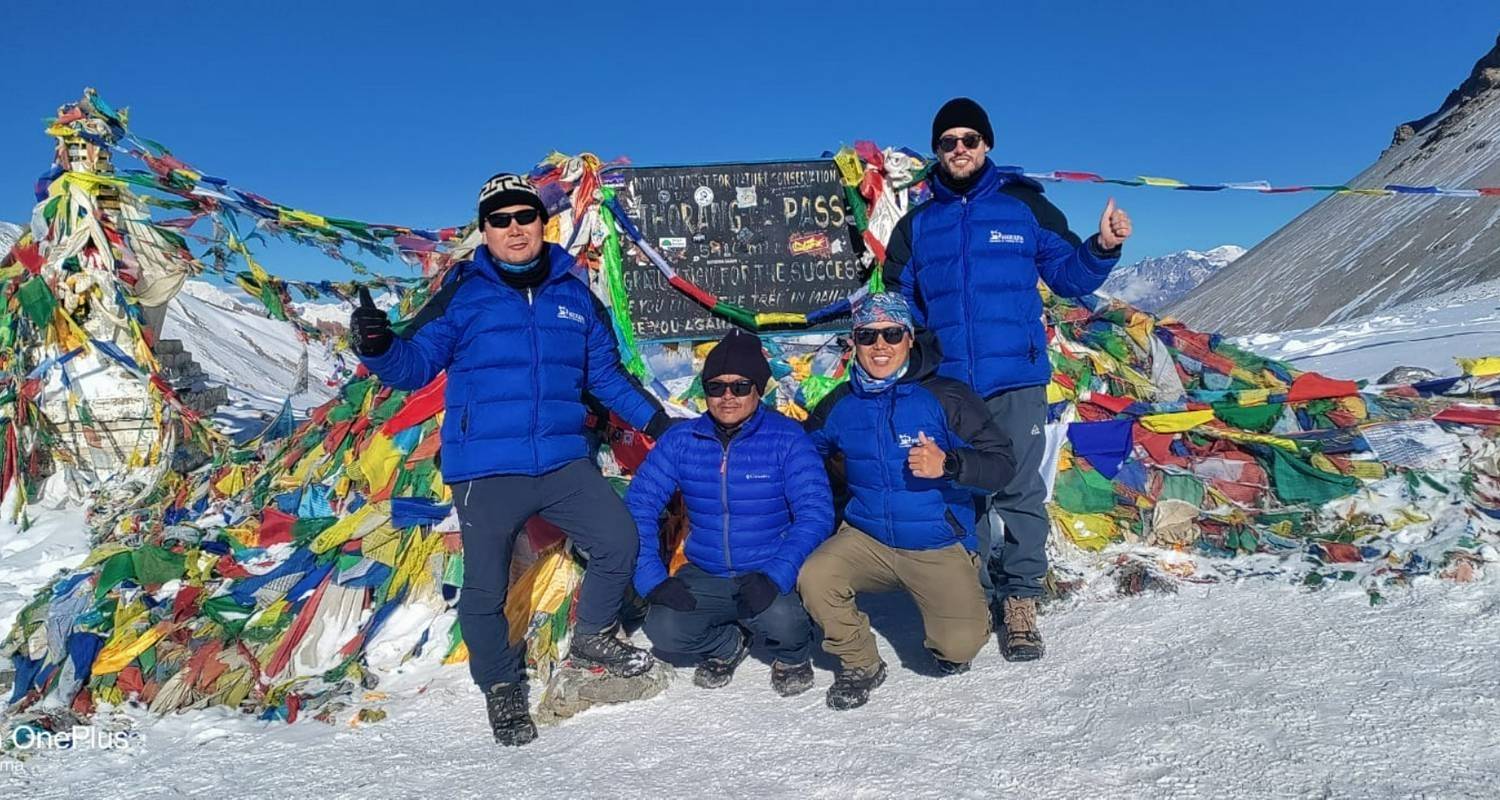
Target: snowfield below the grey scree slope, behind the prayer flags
x=1429, y=334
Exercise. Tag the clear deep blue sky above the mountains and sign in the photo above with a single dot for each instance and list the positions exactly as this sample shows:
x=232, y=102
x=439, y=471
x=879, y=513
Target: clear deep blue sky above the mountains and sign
x=398, y=112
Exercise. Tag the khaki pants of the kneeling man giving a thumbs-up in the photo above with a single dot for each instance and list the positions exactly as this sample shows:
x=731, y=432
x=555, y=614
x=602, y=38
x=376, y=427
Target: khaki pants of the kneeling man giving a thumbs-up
x=946, y=585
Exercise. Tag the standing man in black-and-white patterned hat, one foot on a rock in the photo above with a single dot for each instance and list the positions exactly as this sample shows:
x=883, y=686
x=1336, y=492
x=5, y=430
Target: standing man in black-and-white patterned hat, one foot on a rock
x=521, y=340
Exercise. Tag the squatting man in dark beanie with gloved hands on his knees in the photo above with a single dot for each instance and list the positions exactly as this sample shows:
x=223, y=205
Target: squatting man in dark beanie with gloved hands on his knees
x=758, y=505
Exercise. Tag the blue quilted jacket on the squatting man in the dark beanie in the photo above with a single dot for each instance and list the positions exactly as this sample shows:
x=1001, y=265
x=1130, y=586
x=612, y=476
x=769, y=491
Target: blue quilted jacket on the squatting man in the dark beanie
x=758, y=505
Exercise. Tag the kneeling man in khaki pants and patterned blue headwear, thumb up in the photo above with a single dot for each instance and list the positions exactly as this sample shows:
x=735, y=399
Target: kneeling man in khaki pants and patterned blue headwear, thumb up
x=914, y=448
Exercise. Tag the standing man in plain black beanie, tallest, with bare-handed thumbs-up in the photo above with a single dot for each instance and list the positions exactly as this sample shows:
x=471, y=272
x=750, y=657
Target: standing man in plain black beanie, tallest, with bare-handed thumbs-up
x=968, y=262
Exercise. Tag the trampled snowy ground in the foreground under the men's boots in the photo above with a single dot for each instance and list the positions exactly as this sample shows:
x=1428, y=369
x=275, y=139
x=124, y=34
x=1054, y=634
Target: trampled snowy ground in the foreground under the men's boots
x=1240, y=691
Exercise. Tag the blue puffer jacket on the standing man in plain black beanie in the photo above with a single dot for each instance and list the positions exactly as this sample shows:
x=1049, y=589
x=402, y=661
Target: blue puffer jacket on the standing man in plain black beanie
x=970, y=266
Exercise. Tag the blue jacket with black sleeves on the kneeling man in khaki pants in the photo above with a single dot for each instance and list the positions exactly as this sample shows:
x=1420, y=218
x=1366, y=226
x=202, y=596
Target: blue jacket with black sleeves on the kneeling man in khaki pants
x=866, y=439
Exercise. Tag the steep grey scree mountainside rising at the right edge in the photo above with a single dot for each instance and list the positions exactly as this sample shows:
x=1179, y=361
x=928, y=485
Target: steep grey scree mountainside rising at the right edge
x=1352, y=256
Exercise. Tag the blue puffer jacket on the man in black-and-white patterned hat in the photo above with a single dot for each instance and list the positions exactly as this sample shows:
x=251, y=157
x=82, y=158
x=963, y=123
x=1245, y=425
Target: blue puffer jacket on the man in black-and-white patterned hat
x=518, y=364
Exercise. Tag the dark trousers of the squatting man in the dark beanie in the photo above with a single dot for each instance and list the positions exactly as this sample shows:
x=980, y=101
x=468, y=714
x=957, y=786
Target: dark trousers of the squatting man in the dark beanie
x=713, y=628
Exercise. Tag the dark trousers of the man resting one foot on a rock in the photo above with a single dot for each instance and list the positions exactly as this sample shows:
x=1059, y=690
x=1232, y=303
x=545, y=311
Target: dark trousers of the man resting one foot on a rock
x=493, y=511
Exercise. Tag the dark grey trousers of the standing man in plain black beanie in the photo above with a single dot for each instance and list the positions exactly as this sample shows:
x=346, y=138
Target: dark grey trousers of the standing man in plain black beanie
x=1018, y=561
